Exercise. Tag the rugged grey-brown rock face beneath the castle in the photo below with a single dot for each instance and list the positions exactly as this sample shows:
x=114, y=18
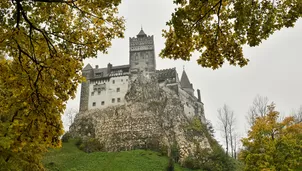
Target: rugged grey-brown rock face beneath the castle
x=153, y=117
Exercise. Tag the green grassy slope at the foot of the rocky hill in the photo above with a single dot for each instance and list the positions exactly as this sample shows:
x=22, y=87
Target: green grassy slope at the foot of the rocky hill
x=69, y=157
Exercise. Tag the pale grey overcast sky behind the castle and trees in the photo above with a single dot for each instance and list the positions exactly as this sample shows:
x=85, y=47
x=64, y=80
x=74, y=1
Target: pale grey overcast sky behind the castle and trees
x=274, y=69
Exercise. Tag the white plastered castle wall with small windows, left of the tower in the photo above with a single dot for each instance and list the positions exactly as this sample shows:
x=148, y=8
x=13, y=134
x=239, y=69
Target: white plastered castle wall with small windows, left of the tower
x=108, y=91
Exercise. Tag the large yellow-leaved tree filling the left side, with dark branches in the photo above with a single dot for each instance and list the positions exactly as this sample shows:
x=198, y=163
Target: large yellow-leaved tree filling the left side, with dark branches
x=42, y=46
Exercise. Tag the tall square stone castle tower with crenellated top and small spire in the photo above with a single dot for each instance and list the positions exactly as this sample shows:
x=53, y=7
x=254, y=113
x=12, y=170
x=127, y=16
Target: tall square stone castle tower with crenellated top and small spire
x=142, y=54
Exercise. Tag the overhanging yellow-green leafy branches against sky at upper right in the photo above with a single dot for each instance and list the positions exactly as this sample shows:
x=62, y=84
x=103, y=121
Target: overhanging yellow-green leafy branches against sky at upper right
x=218, y=29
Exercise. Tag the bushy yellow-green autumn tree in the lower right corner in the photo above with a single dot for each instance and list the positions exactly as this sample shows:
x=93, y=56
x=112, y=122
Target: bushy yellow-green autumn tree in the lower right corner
x=273, y=145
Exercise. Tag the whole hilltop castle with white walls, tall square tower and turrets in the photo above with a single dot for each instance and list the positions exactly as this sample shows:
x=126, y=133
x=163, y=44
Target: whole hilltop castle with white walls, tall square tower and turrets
x=108, y=86
